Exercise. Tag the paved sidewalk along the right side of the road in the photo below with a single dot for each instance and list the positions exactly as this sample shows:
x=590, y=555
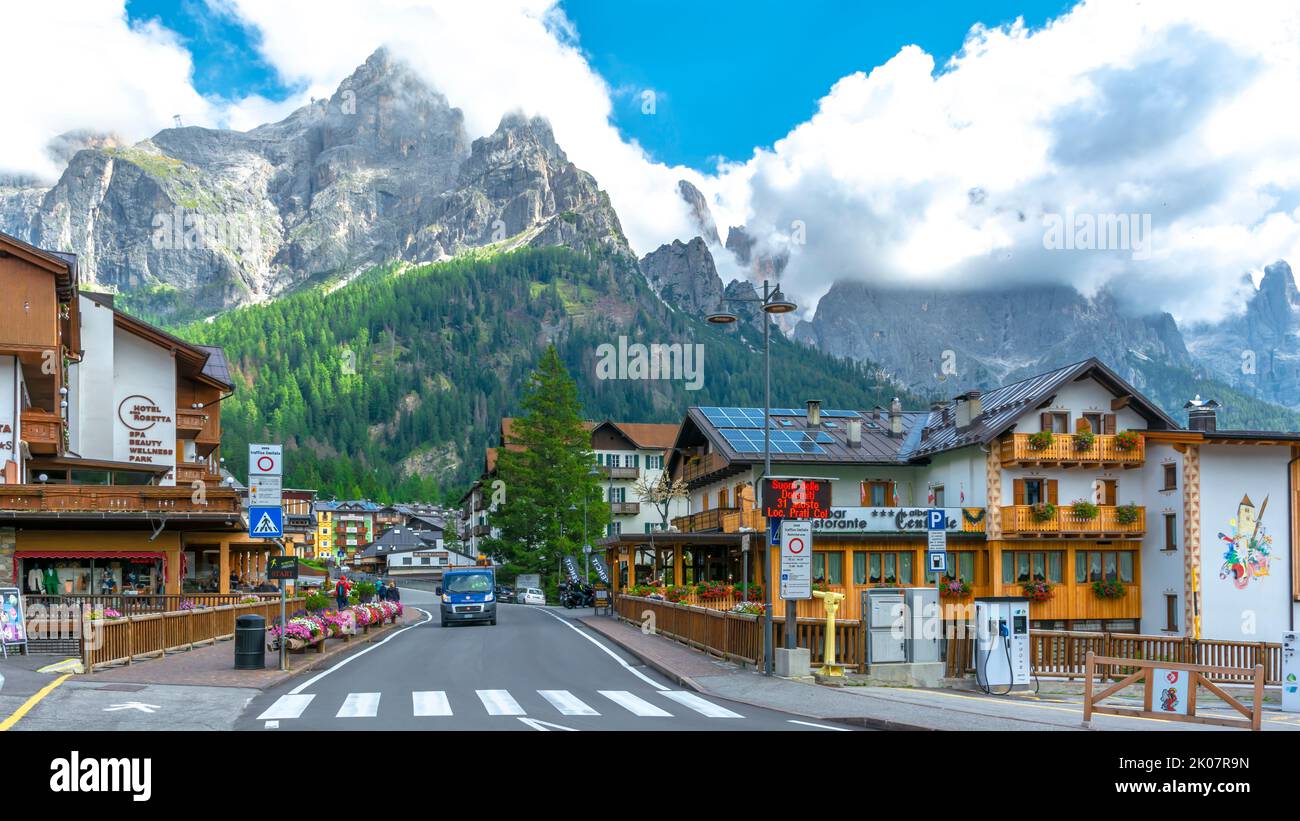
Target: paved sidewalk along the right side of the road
x=887, y=709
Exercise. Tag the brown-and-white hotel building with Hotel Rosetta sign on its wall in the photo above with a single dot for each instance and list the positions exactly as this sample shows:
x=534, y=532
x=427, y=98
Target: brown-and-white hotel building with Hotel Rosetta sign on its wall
x=110, y=445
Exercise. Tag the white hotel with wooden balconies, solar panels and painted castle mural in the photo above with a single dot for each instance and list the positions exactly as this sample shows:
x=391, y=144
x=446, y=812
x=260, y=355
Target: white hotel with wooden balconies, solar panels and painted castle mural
x=1177, y=531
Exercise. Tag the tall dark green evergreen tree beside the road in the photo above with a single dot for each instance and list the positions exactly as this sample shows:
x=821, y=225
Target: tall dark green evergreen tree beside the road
x=548, y=475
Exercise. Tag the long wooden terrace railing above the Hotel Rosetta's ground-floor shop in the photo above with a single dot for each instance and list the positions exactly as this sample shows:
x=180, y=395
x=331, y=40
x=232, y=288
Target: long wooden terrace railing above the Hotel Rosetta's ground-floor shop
x=116, y=498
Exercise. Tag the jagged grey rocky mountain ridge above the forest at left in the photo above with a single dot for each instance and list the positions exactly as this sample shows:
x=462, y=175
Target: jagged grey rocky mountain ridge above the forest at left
x=382, y=171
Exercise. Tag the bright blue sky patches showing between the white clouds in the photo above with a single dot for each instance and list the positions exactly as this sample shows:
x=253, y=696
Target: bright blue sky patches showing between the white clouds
x=729, y=76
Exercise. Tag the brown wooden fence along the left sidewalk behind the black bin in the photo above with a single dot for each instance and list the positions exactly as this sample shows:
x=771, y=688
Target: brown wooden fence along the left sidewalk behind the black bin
x=123, y=641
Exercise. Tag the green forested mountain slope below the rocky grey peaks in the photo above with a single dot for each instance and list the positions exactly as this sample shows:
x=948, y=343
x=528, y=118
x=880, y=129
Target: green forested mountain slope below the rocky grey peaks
x=395, y=385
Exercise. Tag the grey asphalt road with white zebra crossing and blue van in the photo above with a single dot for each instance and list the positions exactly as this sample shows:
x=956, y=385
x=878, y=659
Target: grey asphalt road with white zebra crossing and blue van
x=534, y=671
